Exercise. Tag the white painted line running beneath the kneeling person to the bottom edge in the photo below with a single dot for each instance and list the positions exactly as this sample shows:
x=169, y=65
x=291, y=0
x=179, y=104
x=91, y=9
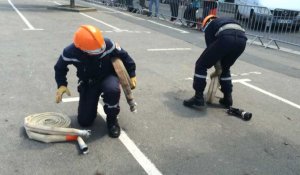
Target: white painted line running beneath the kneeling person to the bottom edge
x=143, y=160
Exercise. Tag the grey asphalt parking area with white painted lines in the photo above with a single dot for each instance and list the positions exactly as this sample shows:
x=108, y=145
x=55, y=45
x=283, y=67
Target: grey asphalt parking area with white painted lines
x=164, y=137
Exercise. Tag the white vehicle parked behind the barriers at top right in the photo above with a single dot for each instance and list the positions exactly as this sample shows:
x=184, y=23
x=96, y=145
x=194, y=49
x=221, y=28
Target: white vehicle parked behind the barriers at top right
x=270, y=13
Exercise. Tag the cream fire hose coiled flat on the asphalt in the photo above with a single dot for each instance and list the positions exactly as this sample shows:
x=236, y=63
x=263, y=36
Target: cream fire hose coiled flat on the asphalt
x=54, y=127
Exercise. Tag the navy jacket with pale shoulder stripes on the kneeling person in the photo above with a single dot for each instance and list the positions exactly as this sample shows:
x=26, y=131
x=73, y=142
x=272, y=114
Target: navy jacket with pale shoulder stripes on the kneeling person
x=91, y=66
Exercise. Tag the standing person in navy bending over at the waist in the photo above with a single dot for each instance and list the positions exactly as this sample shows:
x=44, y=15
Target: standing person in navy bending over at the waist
x=226, y=41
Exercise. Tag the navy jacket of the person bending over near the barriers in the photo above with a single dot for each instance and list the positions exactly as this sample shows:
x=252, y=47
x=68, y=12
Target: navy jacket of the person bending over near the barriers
x=215, y=25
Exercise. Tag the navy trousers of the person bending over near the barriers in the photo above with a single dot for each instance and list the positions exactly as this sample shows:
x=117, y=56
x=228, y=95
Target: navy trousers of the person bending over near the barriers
x=226, y=49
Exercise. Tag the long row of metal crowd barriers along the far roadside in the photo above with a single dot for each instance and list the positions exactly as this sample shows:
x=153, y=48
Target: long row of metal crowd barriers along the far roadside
x=267, y=26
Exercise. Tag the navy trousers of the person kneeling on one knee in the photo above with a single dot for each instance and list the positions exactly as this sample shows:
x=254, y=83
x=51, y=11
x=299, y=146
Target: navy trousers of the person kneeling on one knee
x=89, y=97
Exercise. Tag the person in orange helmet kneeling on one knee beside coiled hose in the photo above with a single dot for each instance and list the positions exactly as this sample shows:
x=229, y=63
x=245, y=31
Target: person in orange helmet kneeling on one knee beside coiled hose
x=91, y=54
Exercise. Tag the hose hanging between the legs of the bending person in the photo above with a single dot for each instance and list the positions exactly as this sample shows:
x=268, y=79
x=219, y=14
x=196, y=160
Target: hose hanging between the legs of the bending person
x=214, y=83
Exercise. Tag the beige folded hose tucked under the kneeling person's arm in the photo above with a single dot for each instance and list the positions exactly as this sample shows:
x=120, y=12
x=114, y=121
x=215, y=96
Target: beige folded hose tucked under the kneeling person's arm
x=125, y=82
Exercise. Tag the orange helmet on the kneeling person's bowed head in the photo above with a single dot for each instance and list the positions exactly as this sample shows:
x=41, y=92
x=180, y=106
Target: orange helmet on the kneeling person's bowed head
x=89, y=39
